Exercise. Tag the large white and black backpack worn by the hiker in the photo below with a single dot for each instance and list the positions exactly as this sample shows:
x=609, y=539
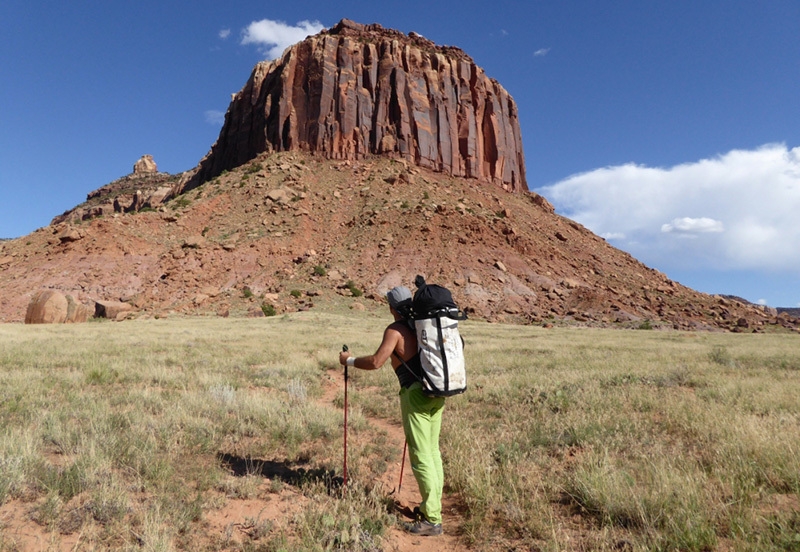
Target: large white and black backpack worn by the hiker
x=435, y=318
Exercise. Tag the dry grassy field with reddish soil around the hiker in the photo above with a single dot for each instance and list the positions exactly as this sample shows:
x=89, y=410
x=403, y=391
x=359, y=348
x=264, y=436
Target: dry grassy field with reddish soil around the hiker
x=129, y=436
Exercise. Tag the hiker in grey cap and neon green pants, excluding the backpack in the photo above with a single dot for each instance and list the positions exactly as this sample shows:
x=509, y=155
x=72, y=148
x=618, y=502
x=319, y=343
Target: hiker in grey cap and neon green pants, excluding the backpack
x=421, y=414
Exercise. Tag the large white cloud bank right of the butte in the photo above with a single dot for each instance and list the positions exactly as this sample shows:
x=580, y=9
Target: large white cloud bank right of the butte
x=739, y=209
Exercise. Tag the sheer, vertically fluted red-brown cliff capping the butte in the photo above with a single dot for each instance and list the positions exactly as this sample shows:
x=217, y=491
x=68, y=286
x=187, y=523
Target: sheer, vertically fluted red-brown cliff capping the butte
x=357, y=90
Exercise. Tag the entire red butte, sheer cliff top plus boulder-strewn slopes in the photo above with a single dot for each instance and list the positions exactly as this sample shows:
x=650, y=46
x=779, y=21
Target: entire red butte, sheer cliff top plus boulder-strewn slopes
x=359, y=159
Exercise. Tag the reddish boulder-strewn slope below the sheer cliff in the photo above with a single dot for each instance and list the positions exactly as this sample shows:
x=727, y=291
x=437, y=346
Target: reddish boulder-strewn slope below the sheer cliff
x=292, y=231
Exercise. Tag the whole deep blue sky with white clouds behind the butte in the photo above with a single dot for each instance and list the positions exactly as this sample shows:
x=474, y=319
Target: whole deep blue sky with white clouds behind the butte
x=671, y=128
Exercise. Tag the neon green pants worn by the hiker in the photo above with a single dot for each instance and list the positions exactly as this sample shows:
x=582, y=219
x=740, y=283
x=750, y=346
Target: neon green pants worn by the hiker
x=422, y=422
